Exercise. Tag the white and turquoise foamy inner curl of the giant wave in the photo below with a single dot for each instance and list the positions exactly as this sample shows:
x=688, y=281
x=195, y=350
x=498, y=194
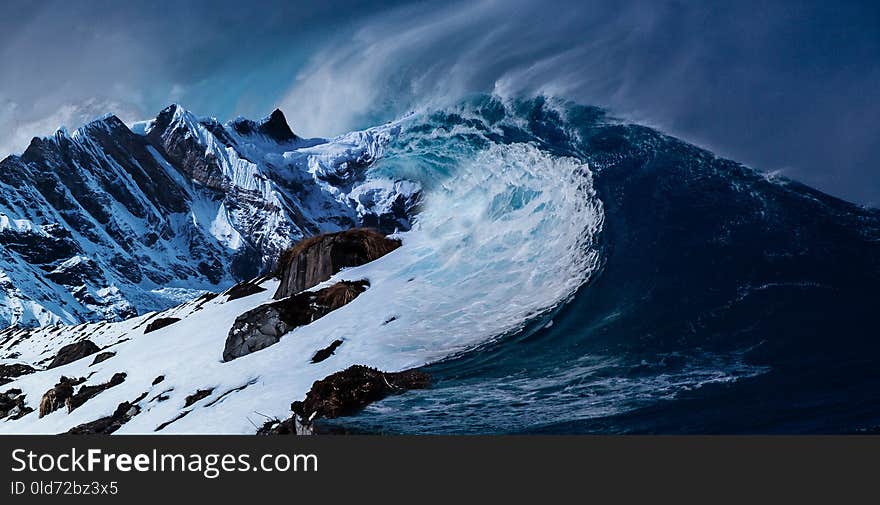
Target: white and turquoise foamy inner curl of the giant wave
x=506, y=232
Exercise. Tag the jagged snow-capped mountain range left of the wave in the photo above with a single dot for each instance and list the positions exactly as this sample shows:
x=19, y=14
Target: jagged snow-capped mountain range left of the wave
x=108, y=221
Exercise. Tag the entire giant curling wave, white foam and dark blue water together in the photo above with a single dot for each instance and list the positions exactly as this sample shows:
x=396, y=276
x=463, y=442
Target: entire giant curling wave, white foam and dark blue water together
x=570, y=273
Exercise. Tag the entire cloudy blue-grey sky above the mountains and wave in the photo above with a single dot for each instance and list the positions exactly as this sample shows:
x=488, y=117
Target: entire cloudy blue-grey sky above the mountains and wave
x=789, y=87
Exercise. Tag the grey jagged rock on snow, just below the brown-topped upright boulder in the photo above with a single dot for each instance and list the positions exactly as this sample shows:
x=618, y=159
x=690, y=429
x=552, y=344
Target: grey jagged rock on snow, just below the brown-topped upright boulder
x=263, y=326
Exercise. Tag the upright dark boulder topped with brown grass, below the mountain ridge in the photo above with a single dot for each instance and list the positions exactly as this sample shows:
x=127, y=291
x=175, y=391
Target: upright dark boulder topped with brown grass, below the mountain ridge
x=314, y=260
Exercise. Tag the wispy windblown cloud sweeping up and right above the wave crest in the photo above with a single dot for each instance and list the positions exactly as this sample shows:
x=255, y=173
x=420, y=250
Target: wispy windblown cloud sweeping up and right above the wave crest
x=769, y=84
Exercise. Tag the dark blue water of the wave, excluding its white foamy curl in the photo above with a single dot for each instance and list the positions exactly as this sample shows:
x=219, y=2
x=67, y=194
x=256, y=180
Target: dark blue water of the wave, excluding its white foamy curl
x=728, y=302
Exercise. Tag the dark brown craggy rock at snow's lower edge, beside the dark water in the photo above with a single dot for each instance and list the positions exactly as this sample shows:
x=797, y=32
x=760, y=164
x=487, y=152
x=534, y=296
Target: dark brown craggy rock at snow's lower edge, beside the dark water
x=346, y=392
